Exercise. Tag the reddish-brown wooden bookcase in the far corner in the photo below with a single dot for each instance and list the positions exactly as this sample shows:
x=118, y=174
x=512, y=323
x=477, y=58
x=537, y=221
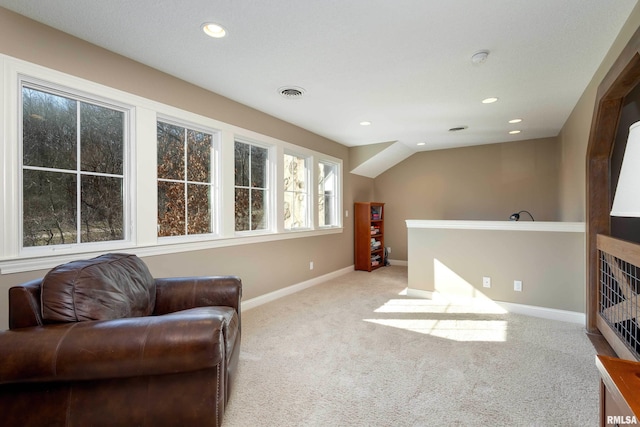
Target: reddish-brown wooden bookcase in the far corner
x=369, y=235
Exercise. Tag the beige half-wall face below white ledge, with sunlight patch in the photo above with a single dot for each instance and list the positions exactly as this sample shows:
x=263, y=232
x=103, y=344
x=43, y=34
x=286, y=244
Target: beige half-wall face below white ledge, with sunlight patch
x=549, y=264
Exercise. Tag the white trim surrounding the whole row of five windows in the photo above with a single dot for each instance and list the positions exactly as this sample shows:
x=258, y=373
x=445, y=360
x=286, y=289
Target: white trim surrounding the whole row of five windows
x=143, y=182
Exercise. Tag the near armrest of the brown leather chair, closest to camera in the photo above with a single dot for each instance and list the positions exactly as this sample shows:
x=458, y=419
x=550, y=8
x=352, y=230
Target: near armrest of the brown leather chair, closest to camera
x=142, y=346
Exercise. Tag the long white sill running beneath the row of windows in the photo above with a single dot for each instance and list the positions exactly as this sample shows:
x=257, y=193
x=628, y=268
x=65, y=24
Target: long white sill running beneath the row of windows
x=18, y=265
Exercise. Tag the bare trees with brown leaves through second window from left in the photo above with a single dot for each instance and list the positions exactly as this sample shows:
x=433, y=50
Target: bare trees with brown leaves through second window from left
x=184, y=181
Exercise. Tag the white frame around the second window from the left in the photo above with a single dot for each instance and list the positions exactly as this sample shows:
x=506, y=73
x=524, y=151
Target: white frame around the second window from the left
x=214, y=185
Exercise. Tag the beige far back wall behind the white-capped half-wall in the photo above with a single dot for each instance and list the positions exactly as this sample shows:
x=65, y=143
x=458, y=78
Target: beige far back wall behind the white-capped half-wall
x=486, y=182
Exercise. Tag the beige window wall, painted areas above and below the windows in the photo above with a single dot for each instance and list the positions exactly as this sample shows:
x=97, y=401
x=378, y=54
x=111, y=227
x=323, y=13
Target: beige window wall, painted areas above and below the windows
x=263, y=267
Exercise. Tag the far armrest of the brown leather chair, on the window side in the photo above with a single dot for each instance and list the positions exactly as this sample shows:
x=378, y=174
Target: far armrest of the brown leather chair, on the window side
x=181, y=293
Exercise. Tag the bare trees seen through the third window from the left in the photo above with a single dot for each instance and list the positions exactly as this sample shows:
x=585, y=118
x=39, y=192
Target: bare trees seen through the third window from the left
x=251, y=187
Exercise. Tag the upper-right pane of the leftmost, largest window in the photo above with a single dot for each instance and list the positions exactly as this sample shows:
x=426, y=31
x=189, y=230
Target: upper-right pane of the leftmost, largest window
x=101, y=139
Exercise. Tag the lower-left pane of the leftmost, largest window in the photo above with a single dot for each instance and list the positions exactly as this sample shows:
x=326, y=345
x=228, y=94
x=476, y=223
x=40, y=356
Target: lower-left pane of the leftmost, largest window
x=49, y=208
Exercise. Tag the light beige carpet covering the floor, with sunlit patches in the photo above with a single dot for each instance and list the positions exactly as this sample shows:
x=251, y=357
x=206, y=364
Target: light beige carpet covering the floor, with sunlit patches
x=355, y=351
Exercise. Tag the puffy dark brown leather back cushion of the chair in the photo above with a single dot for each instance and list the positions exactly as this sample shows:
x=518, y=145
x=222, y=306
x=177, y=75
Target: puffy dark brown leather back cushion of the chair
x=111, y=286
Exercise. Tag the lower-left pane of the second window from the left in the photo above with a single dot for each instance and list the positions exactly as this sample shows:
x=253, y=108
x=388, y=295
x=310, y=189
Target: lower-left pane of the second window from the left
x=171, y=220
